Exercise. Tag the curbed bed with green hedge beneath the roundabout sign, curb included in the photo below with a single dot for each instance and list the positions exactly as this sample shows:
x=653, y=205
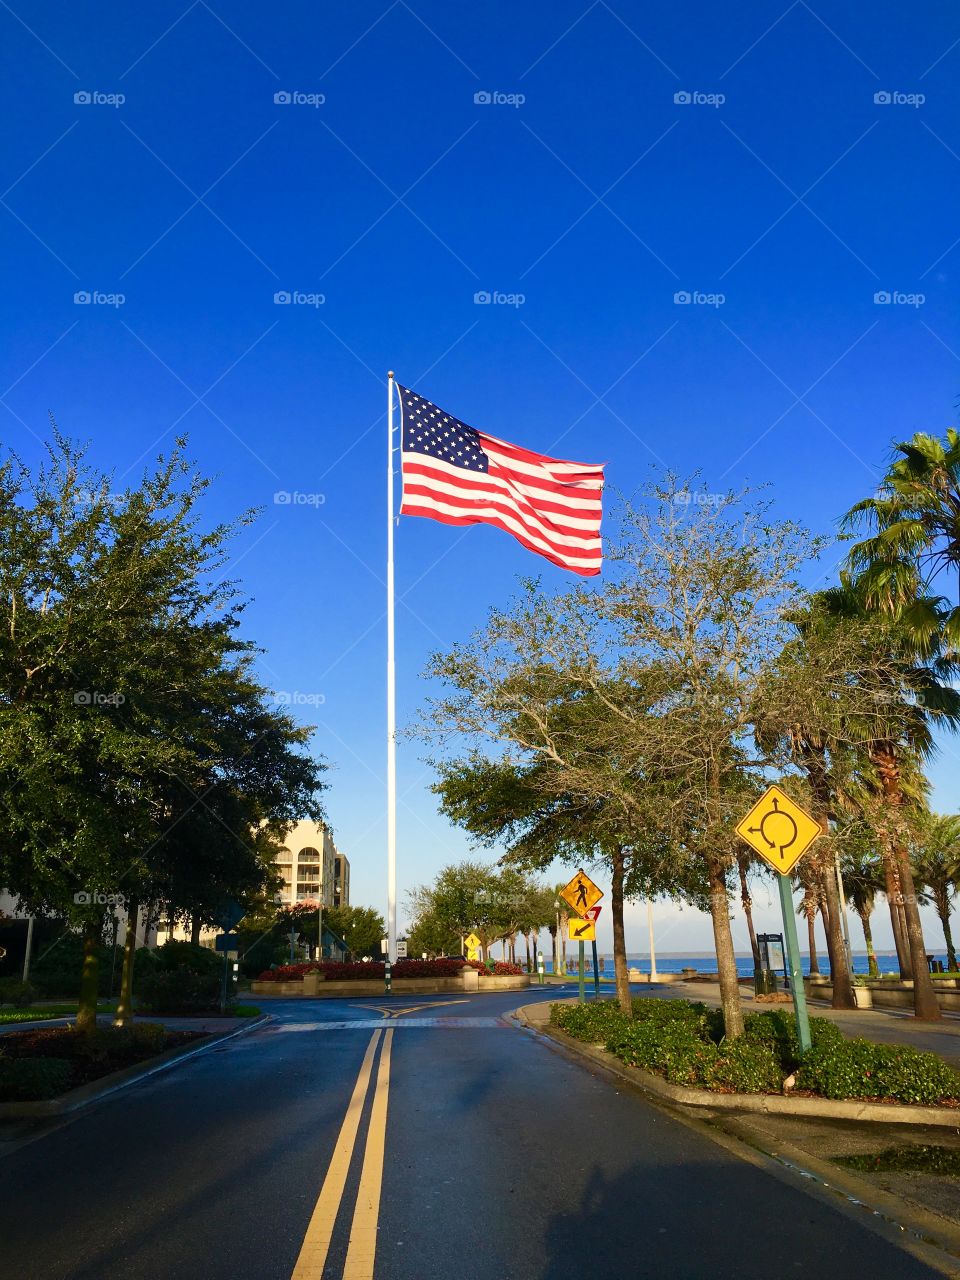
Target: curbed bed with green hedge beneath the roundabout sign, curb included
x=678, y=1050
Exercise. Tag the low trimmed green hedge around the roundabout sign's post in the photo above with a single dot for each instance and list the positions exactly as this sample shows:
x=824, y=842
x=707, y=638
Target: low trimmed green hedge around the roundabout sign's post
x=684, y=1043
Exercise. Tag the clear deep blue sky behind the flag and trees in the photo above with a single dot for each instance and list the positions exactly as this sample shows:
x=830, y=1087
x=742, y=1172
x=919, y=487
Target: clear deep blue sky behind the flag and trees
x=780, y=185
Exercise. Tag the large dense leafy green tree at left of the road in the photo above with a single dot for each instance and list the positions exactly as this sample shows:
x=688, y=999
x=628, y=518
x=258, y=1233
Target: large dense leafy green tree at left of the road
x=125, y=688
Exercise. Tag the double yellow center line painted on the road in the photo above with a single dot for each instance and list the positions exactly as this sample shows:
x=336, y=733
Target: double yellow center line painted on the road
x=362, y=1251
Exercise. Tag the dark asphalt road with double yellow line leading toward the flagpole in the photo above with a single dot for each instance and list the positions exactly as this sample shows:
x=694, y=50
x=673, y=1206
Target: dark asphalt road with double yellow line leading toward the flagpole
x=438, y=1145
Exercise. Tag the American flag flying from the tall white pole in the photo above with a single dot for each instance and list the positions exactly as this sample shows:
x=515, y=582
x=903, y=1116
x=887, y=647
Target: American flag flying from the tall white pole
x=463, y=477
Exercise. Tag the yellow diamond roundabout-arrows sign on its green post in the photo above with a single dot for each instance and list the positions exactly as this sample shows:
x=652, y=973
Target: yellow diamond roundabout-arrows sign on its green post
x=781, y=833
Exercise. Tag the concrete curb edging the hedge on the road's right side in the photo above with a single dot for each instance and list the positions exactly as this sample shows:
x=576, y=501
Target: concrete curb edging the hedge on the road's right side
x=764, y=1104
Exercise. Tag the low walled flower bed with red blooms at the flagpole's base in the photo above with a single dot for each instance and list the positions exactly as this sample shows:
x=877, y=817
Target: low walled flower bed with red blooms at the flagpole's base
x=409, y=977
